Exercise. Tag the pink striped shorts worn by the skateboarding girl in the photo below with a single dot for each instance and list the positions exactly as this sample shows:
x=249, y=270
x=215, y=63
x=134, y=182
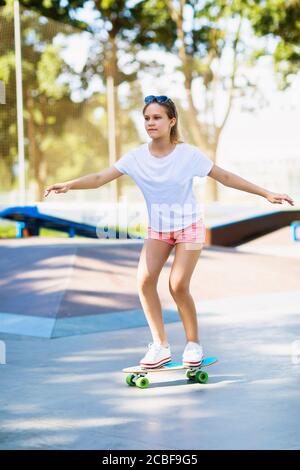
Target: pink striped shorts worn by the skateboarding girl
x=194, y=233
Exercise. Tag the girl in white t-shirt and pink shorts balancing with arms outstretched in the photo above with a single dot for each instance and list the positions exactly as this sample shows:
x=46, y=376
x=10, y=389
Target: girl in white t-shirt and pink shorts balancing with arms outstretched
x=164, y=171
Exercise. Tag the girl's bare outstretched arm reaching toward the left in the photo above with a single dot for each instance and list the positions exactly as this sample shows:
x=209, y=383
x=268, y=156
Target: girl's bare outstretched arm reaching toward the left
x=92, y=181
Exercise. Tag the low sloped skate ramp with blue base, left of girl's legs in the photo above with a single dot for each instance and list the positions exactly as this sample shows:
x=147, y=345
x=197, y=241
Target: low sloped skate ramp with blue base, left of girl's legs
x=57, y=287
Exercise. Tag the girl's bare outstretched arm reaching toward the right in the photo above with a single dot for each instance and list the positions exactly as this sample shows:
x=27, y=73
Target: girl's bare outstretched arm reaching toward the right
x=234, y=181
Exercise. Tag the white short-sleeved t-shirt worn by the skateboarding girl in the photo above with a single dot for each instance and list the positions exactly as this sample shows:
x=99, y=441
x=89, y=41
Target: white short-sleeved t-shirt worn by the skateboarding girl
x=167, y=183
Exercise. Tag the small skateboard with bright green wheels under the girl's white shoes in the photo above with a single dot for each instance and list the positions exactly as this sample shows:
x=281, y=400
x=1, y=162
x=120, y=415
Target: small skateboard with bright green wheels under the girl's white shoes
x=138, y=375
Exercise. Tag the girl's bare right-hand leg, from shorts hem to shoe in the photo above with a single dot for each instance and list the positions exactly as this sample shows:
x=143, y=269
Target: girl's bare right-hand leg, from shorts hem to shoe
x=179, y=284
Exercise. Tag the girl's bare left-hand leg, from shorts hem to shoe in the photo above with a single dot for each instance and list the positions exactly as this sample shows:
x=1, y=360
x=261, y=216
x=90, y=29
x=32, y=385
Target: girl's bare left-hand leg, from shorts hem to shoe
x=153, y=256
